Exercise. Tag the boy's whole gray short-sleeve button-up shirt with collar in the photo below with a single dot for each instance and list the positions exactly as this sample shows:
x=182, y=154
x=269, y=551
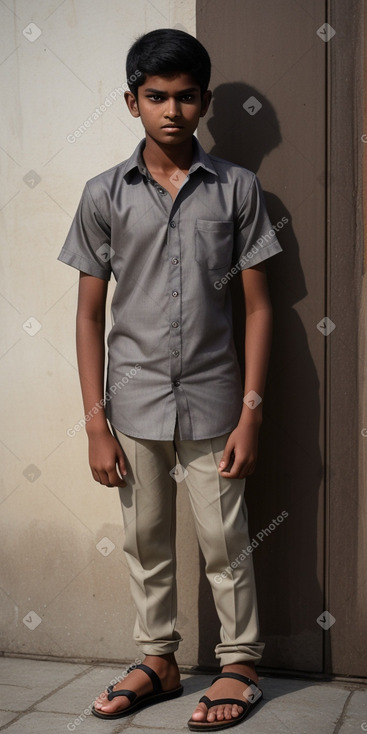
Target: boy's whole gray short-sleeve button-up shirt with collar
x=171, y=350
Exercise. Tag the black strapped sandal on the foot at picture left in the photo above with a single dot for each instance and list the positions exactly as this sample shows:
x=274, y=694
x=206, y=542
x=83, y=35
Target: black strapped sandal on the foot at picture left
x=157, y=695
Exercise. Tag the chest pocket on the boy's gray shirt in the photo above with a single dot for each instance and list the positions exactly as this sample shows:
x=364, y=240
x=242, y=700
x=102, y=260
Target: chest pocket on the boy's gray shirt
x=213, y=243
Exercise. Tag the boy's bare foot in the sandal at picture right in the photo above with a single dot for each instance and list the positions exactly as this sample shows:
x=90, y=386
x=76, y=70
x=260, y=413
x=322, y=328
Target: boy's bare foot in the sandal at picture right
x=225, y=688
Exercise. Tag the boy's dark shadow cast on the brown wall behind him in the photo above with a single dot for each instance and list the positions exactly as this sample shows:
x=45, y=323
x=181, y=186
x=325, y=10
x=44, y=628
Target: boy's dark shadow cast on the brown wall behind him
x=289, y=474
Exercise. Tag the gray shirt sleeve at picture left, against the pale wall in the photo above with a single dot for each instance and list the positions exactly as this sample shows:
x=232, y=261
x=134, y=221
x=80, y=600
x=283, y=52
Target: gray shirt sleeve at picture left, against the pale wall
x=88, y=244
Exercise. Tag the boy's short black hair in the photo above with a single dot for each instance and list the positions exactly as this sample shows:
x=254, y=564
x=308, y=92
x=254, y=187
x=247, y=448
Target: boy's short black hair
x=166, y=51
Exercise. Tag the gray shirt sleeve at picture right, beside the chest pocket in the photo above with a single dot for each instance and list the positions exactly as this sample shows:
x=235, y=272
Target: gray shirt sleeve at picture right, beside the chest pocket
x=254, y=237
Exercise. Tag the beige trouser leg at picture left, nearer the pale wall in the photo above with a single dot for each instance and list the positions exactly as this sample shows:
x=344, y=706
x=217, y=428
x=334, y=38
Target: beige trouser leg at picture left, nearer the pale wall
x=149, y=511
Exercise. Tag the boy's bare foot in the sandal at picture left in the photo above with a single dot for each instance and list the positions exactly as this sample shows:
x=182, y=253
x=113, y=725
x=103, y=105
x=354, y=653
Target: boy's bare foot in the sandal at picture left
x=166, y=668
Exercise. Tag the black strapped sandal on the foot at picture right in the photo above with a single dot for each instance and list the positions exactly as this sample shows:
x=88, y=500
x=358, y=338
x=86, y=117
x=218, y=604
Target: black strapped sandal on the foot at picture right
x=251, y=700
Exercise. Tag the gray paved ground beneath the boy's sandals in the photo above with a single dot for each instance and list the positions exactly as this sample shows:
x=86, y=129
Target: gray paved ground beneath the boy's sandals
x=39, y=697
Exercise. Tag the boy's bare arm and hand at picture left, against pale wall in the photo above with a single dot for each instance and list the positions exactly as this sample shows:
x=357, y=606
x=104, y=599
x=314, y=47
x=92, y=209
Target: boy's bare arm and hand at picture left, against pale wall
x=104, y=450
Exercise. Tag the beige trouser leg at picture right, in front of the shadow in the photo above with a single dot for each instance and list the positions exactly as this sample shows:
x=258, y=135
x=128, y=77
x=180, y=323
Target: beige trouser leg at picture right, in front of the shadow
x=220, y=516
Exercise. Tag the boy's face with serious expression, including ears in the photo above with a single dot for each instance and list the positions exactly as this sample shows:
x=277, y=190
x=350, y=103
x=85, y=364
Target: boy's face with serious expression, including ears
x=169, y=106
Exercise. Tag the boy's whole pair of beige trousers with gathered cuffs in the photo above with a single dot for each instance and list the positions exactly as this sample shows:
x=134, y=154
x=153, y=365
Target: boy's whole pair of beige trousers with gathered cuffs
x=149, y=511
